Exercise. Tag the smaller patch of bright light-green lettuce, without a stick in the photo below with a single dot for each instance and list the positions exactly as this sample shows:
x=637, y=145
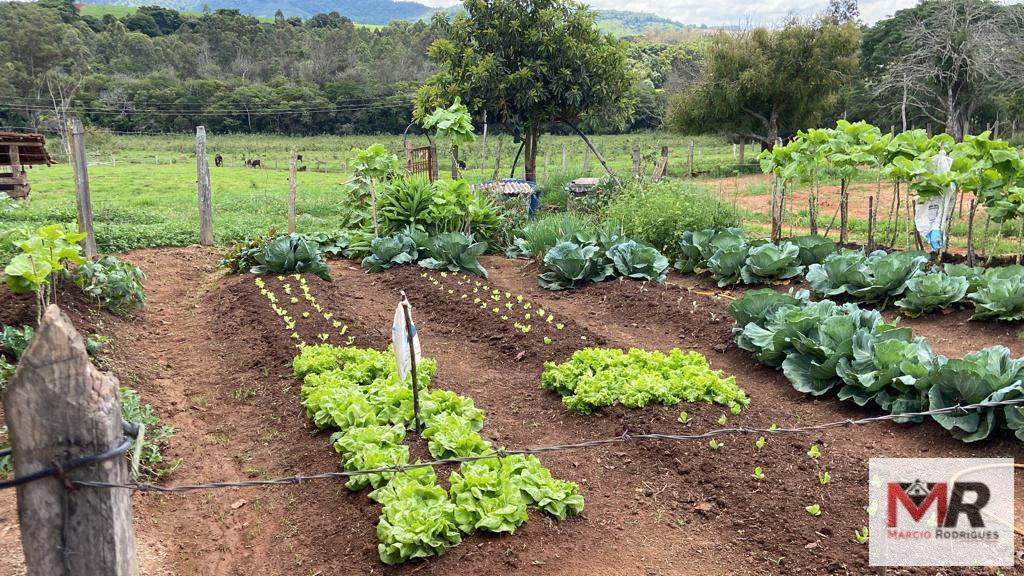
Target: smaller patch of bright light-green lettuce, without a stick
x=599, y=378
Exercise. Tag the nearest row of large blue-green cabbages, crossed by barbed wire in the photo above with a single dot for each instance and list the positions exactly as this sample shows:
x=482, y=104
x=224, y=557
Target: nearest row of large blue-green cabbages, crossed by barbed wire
x=823, y=346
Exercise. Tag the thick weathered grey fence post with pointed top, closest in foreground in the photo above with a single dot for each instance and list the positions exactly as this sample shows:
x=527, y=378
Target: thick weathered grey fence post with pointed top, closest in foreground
x=60, y=407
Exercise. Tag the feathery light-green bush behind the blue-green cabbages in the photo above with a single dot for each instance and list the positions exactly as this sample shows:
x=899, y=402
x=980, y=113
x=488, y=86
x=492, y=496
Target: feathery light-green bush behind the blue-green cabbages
x=660, y=214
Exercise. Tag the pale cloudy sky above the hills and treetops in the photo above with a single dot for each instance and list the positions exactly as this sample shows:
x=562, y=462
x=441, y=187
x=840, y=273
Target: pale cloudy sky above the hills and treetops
x=727, y=13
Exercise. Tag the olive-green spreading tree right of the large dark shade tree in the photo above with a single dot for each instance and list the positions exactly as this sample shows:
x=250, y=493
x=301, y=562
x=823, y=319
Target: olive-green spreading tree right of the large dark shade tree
x=767, y=84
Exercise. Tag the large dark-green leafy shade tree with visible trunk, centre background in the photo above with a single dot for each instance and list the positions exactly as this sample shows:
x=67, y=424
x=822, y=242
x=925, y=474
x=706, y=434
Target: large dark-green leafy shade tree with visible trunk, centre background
x=529, y=64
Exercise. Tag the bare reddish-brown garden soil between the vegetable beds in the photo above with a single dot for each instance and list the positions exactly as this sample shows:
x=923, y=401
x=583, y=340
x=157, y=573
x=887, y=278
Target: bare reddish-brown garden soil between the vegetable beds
x=215, y=360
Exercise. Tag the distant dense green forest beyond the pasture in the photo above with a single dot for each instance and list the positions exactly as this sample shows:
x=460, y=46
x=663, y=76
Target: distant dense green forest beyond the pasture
x=158, y=70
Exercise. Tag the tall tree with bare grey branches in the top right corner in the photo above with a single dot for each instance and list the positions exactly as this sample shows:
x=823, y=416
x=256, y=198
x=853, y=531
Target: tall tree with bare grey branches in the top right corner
x=946, y=60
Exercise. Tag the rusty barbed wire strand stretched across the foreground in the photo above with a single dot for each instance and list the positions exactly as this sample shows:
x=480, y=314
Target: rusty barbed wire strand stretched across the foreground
x=625, y=438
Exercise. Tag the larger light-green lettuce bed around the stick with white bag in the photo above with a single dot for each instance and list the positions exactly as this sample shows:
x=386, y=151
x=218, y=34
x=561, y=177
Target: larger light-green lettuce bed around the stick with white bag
x=358, y=391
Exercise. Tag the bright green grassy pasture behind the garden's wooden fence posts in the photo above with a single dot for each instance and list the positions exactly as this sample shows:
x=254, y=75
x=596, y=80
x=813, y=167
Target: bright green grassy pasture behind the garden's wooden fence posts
x=144, y=188
